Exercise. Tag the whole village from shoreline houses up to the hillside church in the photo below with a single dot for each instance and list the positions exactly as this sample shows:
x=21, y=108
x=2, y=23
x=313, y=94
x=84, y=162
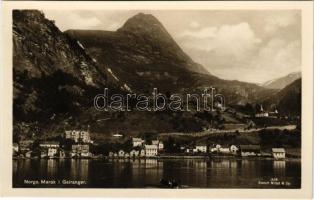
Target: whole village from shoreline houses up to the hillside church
x=78, y=143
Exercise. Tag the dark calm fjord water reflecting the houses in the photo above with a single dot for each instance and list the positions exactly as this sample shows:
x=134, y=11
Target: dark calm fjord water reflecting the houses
x=146, y=173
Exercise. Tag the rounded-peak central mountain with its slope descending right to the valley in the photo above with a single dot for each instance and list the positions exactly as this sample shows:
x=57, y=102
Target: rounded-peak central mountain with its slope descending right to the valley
x=144, y=55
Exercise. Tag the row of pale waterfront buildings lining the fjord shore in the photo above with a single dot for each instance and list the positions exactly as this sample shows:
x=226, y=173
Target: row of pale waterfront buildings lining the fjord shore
x=78, y=144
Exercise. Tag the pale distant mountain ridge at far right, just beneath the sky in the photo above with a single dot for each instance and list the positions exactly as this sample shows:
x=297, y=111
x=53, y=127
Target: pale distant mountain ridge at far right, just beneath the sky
x=282, y=82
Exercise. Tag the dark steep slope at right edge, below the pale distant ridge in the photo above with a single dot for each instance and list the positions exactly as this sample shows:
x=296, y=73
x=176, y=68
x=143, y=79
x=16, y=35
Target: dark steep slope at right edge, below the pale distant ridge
x=288, y=100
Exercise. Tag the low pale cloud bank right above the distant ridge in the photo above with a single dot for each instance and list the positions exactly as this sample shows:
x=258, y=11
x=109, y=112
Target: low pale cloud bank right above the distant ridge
x=276, y=58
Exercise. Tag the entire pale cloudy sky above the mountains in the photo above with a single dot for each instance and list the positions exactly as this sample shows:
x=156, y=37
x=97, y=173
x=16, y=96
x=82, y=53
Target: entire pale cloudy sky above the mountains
x=246, y=45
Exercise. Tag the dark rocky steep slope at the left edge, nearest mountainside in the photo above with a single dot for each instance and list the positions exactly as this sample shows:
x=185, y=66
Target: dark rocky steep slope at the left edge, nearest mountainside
x=52, y=74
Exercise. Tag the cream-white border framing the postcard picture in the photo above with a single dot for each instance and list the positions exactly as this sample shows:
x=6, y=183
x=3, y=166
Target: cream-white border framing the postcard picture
x=306, y=8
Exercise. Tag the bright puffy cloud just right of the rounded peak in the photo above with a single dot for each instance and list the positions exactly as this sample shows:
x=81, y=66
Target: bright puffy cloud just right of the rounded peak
x=226, y=40
